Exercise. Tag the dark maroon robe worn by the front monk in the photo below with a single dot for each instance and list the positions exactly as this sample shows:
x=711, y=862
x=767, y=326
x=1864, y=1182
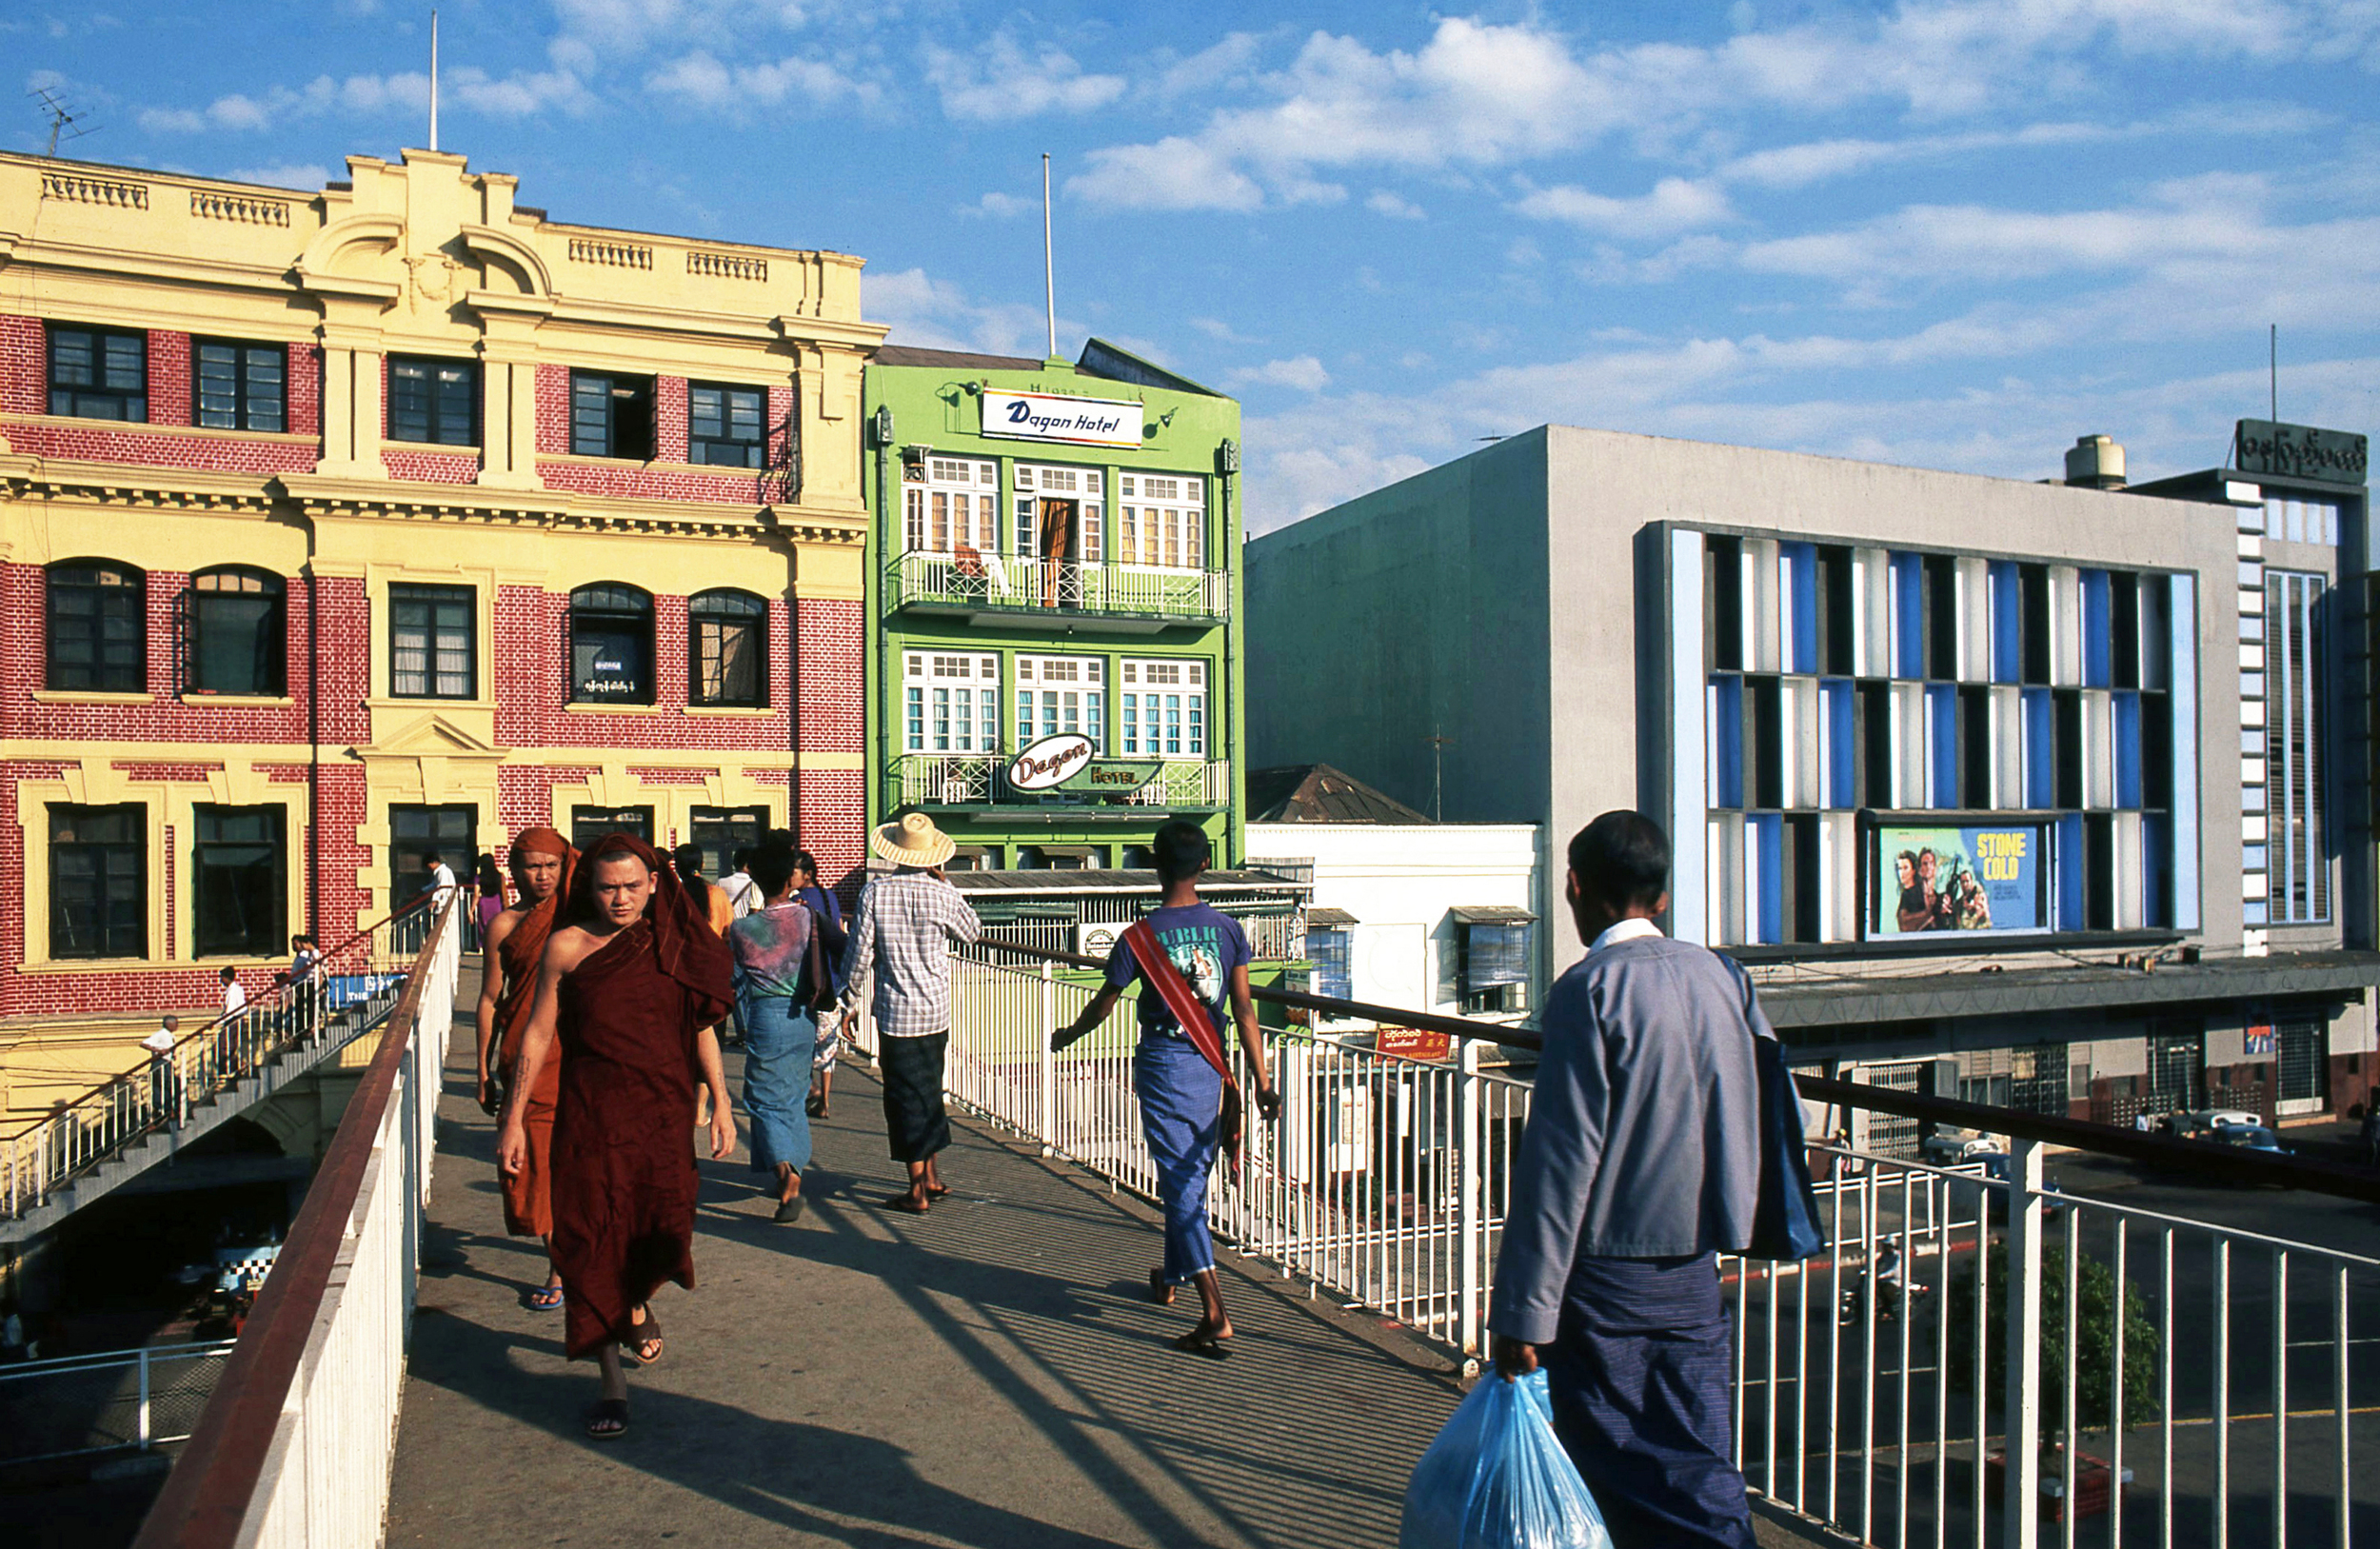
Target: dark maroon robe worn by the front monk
x=625, y=1167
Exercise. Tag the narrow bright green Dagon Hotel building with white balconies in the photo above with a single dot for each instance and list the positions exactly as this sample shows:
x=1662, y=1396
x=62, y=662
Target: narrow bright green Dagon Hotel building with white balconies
x=1058, y=656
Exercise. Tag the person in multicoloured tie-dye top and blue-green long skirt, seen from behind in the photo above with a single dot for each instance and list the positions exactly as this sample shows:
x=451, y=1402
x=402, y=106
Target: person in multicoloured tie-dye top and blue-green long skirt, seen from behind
x=779, y=974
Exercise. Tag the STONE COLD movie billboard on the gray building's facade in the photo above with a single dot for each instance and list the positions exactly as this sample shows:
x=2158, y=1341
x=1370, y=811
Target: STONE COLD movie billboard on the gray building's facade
x=1960, y=882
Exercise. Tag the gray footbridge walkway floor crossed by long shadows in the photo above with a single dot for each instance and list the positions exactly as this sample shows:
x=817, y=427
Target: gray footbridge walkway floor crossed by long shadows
x=987, y=1374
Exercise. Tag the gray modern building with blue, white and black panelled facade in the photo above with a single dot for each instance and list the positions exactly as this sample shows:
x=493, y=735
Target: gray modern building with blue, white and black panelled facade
x=2046, y=794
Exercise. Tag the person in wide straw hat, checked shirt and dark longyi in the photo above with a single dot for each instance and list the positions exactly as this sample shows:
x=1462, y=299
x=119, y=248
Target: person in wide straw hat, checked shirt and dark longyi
x=903, y=932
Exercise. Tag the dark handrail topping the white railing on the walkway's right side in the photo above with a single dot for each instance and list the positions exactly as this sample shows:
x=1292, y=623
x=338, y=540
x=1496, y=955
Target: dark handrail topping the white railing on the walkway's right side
x=2231, y=1165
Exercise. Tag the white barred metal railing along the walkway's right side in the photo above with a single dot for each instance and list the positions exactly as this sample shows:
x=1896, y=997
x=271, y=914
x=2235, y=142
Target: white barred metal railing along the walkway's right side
x=2153, y=1379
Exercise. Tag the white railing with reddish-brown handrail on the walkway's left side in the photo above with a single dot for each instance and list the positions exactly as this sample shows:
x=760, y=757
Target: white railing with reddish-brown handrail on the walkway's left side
x=299, y=1436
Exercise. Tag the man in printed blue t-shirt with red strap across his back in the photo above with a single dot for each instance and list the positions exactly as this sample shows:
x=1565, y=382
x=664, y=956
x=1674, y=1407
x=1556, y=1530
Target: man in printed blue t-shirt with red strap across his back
x=1182, y=1093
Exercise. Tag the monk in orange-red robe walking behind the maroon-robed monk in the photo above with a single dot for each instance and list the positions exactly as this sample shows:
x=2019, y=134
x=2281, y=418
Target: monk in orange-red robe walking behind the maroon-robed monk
x=515, y=941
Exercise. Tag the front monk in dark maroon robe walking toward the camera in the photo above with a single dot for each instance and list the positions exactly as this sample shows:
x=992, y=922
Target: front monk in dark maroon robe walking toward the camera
x=632, y=989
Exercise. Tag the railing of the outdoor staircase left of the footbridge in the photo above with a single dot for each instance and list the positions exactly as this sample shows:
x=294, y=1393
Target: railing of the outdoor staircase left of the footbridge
x=353, y=989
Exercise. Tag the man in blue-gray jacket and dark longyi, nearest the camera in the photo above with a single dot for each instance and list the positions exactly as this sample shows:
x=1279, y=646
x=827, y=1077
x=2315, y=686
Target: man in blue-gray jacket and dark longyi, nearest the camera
x=1641, y=1162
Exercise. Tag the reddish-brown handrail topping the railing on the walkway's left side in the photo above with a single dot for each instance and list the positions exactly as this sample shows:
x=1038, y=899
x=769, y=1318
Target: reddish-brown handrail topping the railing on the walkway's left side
x=206, y=1500
